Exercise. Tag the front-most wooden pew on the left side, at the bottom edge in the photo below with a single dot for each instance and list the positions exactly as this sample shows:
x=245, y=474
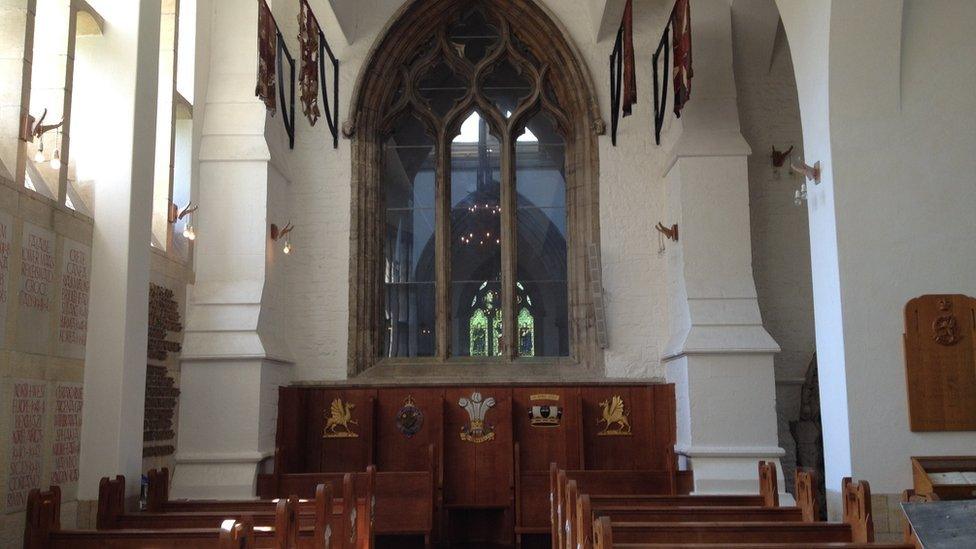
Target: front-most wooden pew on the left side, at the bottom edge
x=43, y=531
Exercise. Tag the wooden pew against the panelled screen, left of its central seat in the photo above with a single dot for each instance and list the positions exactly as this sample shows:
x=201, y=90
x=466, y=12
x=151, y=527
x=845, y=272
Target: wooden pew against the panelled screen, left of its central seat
x=404, y=500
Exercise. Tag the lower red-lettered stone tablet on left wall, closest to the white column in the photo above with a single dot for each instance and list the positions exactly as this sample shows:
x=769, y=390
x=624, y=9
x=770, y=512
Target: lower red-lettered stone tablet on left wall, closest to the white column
x=66, y=444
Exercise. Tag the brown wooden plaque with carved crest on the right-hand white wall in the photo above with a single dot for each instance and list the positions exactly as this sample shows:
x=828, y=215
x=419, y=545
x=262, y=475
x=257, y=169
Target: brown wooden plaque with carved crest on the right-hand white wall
x=940, y=356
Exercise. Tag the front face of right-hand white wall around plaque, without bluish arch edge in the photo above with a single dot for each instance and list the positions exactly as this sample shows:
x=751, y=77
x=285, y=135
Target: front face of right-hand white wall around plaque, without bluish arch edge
x=904, y=173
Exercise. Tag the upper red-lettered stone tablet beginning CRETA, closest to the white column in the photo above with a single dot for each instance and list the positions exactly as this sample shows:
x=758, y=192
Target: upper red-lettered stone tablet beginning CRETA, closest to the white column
x=73, y=316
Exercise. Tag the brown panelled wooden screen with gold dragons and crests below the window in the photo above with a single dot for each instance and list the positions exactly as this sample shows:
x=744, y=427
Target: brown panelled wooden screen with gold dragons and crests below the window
x=493, y=481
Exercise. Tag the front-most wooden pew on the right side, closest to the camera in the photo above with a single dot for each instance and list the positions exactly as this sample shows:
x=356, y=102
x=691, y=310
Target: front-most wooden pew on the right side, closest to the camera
x=856, y=529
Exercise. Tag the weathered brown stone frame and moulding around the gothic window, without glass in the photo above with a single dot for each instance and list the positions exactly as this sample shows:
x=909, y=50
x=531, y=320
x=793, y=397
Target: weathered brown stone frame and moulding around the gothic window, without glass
x=374, y=106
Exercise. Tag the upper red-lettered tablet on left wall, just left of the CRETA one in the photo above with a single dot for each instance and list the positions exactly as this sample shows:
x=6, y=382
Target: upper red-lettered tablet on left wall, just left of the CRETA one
x=36, y=294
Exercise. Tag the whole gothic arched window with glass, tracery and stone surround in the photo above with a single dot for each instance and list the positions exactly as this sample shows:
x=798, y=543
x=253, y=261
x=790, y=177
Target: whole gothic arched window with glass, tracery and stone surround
x=475, y=182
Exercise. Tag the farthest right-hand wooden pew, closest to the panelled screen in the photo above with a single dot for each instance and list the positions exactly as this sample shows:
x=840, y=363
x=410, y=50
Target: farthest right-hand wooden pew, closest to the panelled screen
x=563, y=511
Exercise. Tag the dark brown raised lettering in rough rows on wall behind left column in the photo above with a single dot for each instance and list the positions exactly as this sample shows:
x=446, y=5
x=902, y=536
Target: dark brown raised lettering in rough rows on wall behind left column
x=161, y=390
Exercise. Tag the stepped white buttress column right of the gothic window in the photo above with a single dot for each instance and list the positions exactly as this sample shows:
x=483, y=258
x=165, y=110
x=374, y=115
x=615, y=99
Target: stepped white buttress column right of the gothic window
x=719, y=356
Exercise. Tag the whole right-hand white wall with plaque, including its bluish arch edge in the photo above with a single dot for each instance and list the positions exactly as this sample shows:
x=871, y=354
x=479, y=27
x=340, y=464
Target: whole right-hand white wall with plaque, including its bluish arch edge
x=886, y=108
